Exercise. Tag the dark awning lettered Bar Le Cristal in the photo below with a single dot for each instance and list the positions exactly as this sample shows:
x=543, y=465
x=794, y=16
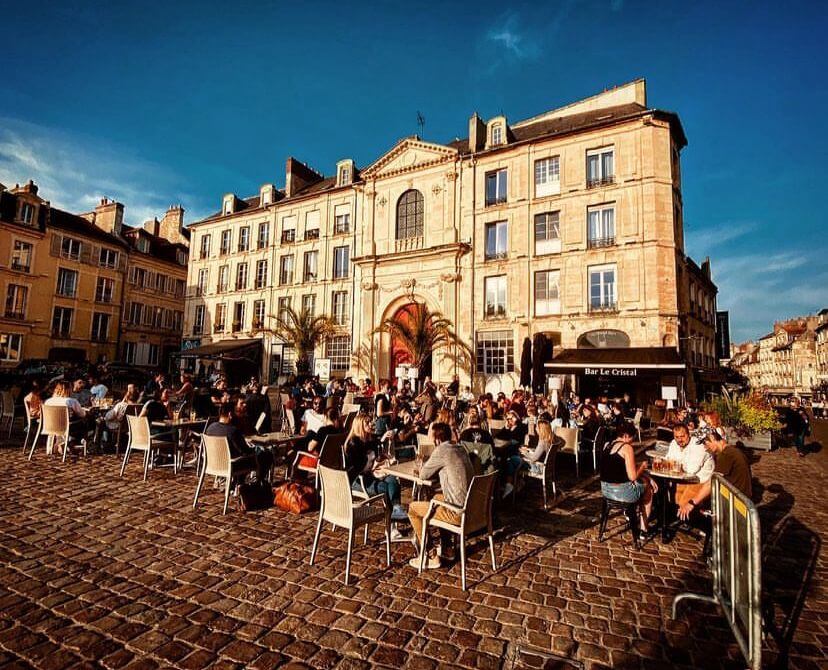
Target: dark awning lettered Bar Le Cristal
x=628, y=362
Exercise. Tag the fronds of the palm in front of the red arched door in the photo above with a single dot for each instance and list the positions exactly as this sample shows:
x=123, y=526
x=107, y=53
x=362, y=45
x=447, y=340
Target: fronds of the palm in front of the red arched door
x=423, y=332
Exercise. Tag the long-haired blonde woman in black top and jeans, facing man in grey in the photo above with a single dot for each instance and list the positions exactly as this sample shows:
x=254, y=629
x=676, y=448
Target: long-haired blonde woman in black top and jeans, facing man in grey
x=361, y=449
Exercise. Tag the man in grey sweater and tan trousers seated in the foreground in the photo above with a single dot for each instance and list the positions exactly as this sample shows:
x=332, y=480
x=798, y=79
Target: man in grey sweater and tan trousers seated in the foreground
x=452, y=464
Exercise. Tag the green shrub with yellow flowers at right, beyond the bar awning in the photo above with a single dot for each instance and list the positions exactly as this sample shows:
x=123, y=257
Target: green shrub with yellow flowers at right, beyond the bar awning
x=748, y=418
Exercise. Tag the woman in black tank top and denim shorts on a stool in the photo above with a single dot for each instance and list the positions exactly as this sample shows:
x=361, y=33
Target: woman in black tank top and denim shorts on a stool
x=624, y=481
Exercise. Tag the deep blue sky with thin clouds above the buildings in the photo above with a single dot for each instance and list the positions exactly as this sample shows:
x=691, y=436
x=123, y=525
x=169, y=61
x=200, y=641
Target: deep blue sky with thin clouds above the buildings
x=160, y=103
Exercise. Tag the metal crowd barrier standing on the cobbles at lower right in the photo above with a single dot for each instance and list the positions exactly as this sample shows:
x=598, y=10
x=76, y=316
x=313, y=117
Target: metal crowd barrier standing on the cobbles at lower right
x=737, y=567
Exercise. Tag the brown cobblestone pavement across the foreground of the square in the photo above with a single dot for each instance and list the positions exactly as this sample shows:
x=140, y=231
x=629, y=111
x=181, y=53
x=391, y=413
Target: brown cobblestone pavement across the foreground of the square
x=101, y=571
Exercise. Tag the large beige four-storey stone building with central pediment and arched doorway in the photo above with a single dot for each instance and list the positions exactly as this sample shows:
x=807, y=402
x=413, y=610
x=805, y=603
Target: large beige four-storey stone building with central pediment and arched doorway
x=569, y=223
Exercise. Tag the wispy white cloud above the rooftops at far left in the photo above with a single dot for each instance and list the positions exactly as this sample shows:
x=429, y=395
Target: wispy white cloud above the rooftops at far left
x=74, y=174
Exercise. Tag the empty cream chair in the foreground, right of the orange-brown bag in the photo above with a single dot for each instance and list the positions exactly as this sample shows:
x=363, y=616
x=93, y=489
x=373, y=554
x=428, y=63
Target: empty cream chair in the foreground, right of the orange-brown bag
x=339, y=508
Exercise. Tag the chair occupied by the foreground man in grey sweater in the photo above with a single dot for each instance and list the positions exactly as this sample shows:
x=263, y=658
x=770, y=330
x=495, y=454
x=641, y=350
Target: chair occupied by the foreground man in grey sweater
x=475, y=519
